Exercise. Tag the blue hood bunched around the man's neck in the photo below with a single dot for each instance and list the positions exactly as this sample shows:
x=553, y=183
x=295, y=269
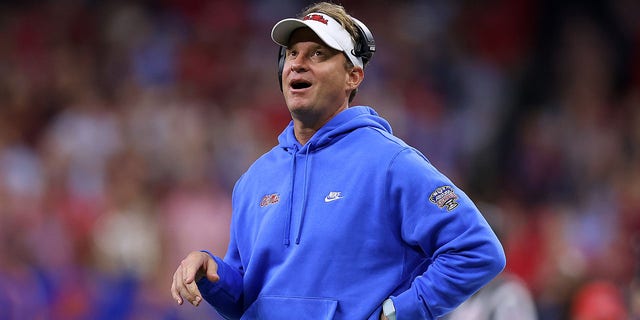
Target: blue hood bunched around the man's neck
x=346, y=121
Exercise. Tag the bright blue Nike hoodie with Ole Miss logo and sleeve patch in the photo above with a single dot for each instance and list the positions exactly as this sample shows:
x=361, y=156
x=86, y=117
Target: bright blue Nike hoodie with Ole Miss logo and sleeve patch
x=331, y=229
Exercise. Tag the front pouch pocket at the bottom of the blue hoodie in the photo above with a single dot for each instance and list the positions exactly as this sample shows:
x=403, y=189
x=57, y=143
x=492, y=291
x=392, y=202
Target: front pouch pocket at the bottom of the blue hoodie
x=274, y=308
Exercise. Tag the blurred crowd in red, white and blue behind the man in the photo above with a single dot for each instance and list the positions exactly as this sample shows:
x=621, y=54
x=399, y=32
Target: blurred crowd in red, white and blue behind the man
x=124, y=125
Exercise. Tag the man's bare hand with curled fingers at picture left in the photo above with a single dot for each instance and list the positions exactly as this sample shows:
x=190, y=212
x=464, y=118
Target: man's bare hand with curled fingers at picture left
x=193, y=268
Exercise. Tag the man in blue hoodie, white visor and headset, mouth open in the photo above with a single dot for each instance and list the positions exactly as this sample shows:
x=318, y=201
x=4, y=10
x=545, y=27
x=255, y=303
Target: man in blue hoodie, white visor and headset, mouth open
x=341, y=220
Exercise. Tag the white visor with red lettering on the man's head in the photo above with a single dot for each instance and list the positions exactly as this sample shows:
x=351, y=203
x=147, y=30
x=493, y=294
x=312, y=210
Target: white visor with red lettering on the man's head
x=327, y=28
